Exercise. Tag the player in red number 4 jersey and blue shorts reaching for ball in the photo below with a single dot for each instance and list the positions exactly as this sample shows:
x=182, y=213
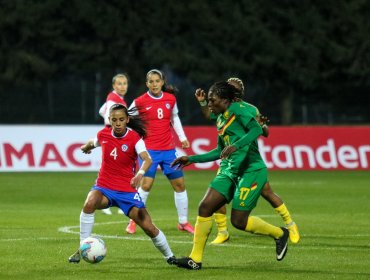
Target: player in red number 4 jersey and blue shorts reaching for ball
x=116, y=184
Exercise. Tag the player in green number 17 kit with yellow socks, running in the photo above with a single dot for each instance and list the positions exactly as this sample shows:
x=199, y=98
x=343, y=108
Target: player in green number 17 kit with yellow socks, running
x=241, y=177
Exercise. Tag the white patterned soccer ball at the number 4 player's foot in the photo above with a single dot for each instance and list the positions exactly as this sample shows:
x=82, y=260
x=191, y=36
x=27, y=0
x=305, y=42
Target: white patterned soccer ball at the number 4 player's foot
x=93, y=249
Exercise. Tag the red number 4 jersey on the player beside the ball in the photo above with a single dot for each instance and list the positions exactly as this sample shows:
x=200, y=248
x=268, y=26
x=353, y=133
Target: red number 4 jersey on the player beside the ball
x=118, y=160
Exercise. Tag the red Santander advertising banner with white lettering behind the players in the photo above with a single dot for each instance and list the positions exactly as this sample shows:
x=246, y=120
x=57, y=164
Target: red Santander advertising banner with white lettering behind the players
x=299, y=148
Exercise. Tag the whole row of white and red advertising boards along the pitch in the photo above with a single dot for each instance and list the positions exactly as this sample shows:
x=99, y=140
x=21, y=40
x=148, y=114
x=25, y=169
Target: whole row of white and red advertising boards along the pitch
x=57, y=148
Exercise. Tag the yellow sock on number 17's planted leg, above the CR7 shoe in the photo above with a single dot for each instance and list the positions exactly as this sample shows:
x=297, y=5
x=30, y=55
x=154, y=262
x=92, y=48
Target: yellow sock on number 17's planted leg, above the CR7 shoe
x=202, y=229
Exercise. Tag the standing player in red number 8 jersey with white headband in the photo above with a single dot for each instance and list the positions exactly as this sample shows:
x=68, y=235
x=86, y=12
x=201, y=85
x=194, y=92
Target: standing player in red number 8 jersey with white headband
x=159, y=108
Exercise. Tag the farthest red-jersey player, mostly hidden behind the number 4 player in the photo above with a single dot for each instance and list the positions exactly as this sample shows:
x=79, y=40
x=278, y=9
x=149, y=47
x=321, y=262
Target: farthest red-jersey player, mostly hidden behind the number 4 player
x=116, y=96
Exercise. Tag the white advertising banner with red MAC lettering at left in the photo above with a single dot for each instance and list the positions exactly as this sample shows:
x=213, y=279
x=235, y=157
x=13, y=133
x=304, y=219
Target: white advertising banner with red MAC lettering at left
x=47, y=148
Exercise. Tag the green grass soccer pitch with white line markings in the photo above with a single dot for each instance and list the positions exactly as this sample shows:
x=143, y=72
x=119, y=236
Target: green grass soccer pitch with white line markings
x=39, y=218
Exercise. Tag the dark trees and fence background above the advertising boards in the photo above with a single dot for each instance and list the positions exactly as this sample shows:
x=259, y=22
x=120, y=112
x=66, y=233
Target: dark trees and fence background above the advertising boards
x=303, y=62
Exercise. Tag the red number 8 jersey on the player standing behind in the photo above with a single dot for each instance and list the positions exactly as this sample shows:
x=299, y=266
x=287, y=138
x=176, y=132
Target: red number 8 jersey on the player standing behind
x=157, y=112
